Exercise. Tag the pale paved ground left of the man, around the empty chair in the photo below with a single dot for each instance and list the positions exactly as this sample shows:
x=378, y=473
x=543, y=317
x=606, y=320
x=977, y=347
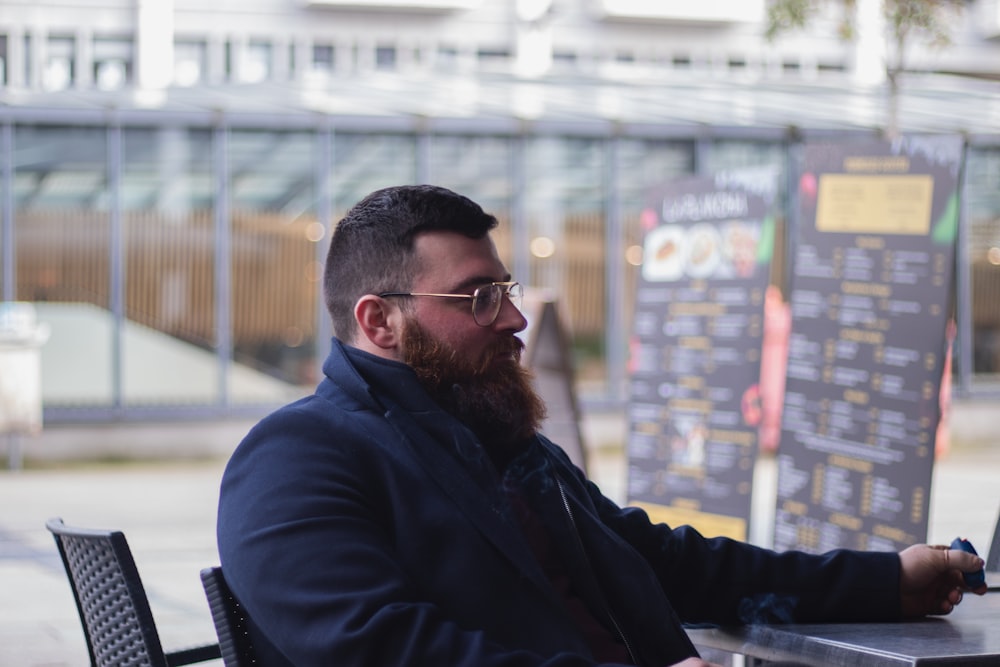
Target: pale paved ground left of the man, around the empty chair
x=167, y=512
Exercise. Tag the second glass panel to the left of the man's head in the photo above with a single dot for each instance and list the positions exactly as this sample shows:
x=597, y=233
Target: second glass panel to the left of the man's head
x=167, y=215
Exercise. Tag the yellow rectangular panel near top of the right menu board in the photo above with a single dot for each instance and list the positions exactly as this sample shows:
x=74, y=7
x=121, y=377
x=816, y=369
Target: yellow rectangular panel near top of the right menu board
x=874, y=204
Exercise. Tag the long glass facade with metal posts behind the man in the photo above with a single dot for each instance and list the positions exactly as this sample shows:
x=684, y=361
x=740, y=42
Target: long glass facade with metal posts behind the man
x=179, y=264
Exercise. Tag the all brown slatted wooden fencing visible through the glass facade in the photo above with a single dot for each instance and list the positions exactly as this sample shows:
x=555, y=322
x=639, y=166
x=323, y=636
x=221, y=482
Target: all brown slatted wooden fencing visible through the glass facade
x=169, y=261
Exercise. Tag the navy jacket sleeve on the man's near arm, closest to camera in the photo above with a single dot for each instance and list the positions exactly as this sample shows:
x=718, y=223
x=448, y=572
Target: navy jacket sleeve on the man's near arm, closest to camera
x=305, y=545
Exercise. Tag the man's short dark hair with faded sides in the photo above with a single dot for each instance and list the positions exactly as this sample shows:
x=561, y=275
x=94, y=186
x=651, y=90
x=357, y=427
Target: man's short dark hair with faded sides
x=371, y=250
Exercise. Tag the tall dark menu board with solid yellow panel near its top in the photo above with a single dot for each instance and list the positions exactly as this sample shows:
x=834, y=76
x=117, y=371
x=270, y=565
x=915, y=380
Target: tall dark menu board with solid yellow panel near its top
x=871, y=283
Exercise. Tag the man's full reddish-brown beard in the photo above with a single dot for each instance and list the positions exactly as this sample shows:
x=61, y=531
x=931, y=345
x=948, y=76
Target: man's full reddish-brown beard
x=491, y=395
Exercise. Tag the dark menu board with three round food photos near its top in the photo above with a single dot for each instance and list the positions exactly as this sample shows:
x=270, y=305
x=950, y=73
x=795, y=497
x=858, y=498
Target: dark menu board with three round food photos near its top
x=695, y=359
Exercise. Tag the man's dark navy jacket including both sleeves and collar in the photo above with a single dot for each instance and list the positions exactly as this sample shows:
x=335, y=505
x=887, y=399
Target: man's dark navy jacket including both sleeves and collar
x=364, y=526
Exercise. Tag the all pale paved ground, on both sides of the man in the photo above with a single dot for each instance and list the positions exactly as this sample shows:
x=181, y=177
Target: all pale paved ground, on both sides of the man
x=167, y=512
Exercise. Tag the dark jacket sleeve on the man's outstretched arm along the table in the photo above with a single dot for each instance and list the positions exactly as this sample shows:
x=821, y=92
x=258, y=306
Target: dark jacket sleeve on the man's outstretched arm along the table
x=724, y=581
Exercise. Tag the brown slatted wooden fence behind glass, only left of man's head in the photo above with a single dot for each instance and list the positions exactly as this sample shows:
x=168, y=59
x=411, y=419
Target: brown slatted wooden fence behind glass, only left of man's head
x=168, y=264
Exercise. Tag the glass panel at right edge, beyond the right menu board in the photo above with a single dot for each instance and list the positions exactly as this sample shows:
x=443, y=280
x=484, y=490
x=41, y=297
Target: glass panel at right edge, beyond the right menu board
x=983, y=204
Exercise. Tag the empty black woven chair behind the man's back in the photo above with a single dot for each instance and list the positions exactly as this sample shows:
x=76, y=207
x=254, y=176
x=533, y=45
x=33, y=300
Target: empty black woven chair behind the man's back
x=114, y=610
